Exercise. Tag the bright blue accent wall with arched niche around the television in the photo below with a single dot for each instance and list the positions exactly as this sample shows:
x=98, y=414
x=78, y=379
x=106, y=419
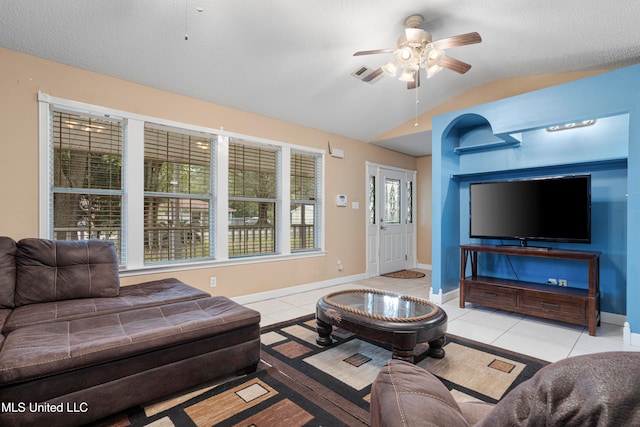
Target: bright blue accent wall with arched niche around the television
x=507, y=139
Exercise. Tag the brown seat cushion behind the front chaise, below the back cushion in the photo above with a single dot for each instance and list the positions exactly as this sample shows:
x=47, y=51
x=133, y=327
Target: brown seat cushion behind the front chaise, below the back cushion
x=147, y=294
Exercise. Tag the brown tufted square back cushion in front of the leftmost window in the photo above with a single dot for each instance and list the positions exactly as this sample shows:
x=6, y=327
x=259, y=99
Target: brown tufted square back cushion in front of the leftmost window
x=54, y=270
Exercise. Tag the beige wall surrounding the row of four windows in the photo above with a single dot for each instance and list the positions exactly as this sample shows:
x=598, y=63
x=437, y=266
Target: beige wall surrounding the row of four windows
x=22, y=76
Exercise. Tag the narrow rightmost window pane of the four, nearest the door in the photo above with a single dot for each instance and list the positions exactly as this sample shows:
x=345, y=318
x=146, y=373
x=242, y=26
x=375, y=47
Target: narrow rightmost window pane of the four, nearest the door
x=304, y=194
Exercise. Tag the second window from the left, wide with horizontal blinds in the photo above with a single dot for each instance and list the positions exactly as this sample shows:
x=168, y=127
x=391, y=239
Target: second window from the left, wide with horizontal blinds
x=177, y=195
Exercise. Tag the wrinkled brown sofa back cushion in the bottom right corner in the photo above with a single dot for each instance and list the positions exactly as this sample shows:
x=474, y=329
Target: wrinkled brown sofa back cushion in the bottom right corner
x=600, y=389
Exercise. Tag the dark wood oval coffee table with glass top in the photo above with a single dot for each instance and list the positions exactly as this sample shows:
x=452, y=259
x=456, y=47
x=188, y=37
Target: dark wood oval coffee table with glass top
x=400, y=320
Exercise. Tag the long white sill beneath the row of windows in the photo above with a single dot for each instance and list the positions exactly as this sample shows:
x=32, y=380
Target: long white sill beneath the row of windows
x=195, y=265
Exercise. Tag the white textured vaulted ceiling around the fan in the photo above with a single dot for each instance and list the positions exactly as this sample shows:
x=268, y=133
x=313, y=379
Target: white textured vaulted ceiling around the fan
x=292, y=60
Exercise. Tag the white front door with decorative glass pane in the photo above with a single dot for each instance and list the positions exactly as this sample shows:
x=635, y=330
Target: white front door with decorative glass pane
x=392, y=225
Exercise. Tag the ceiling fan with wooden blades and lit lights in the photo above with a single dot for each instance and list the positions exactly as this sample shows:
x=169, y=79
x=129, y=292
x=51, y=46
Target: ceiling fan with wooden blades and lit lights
x=415, y=50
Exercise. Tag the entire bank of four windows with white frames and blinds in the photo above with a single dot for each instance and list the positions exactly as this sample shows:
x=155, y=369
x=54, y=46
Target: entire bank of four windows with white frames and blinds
x=173, y=195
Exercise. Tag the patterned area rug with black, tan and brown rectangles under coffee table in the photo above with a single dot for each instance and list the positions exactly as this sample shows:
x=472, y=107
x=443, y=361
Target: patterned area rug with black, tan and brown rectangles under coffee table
x=299, y=383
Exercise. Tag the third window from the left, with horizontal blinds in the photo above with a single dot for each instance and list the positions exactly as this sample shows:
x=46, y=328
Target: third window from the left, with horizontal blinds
x=253, y=183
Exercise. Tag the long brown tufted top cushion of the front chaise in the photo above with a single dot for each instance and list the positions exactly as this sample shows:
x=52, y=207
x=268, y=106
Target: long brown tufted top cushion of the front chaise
x=40, y=350
